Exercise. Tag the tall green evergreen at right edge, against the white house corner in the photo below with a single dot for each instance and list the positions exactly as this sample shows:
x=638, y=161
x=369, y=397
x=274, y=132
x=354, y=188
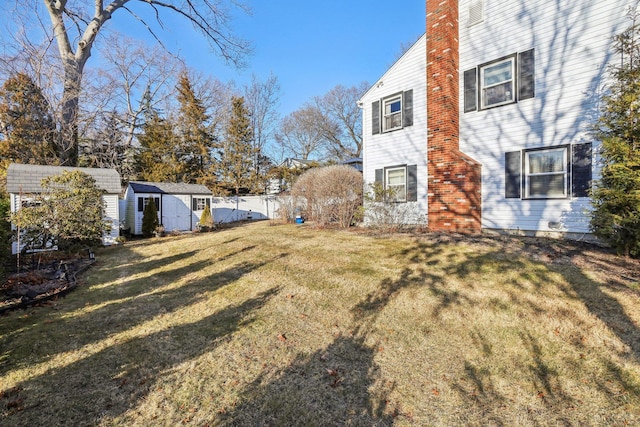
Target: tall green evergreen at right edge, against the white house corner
x=616, y=197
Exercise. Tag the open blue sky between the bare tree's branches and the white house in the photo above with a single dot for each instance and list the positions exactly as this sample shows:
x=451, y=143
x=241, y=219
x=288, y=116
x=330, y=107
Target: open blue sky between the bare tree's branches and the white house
x=311, y=46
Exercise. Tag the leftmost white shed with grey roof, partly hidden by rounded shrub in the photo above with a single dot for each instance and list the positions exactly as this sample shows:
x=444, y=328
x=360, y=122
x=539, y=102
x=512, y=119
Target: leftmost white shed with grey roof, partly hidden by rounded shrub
x=24, y=181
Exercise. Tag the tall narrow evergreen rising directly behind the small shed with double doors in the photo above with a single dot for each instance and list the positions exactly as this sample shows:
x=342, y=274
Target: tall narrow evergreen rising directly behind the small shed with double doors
x=196, y=140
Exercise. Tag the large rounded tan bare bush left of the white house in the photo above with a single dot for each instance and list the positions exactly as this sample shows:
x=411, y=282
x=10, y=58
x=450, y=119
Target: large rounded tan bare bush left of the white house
x=329, y=195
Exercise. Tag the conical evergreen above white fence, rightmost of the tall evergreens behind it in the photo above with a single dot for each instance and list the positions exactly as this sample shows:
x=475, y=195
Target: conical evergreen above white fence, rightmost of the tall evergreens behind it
x=238, y=150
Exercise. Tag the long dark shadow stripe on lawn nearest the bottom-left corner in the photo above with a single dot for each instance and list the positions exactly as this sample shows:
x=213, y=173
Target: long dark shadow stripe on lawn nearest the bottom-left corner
x=110, y=382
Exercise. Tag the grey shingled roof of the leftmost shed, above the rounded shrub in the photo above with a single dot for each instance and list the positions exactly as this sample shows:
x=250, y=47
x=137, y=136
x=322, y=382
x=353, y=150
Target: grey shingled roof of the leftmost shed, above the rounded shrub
x=23, y=178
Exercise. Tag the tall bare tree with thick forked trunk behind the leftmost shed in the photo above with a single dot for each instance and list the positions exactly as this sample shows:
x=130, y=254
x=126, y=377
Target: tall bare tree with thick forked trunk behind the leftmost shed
x=76, y=25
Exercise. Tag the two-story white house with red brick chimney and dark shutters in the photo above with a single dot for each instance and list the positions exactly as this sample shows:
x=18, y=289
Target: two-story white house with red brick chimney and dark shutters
x=501, y=141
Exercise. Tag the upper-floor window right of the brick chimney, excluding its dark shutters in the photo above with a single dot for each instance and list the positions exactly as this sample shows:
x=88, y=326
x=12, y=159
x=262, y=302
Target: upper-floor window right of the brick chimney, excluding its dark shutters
x=497, y=82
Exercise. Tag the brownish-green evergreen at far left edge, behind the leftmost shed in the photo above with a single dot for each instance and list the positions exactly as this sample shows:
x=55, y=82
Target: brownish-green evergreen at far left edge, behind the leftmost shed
x=27, y=128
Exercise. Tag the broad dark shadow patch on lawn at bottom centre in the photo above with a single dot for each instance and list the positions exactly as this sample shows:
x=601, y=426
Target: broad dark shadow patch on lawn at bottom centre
x=327, y=388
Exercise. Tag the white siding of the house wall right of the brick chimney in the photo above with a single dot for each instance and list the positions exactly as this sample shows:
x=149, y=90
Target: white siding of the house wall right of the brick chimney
x=569, y=75
